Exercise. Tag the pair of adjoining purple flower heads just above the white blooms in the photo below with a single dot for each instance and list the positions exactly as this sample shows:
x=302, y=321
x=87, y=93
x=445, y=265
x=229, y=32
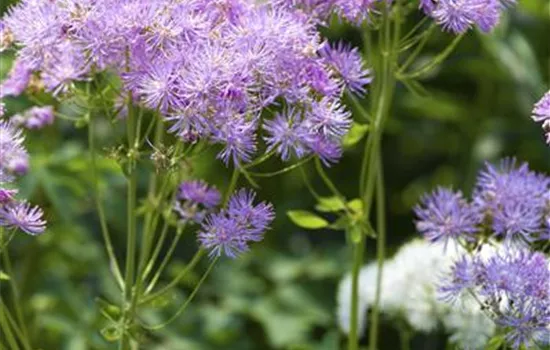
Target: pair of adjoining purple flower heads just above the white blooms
x=509, y=201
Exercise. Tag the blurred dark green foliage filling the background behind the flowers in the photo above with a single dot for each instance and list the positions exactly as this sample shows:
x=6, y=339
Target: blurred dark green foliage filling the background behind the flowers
x=282, y=294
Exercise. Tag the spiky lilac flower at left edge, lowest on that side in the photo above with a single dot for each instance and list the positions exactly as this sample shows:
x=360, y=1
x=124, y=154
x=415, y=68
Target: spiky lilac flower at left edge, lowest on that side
x=22, y=216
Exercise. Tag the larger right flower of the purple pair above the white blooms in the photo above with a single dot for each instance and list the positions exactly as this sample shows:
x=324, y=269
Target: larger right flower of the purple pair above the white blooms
x=515, y=199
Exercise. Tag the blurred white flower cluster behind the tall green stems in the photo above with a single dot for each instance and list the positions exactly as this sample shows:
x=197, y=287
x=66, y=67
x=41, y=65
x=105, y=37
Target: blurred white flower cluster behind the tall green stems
x=409, y=291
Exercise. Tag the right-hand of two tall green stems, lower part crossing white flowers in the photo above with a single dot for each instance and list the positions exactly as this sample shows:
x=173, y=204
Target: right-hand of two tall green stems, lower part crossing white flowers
x=381, y=253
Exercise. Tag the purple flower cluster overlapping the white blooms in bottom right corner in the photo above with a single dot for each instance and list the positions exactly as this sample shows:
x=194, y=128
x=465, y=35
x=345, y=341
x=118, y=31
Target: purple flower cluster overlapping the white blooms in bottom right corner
x=513, y=286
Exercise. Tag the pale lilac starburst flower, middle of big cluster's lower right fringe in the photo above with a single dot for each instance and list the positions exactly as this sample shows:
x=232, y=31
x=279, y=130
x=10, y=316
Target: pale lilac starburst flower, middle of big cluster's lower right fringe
x=285, y=134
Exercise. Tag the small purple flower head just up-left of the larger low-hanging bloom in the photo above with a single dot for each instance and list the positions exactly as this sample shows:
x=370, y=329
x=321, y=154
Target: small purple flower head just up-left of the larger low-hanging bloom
x=195, y=199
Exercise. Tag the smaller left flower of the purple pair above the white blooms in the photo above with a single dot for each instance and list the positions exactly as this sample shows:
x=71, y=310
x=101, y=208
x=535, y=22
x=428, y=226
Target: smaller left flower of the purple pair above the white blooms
x=445, y=215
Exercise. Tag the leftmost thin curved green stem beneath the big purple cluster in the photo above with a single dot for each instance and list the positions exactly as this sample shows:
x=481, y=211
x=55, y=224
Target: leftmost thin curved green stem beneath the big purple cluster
x=99, y=207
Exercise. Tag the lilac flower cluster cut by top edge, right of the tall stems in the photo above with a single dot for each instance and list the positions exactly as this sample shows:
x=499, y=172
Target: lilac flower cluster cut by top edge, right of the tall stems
x=458, y=16
